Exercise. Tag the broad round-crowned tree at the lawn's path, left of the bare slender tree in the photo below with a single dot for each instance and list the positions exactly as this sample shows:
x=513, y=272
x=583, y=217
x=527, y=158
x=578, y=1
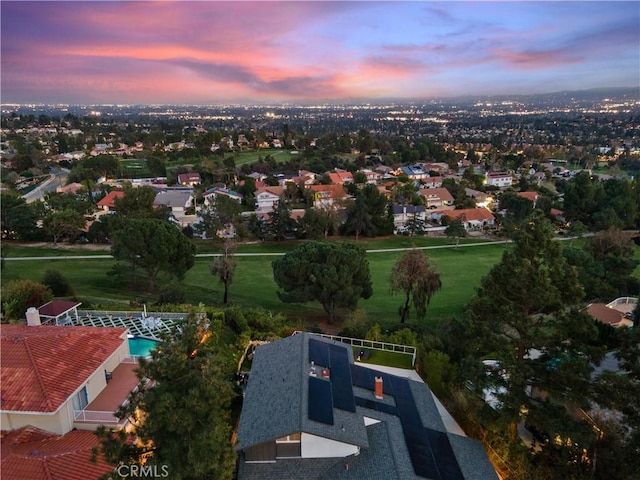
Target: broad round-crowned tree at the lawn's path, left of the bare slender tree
x=155, y=246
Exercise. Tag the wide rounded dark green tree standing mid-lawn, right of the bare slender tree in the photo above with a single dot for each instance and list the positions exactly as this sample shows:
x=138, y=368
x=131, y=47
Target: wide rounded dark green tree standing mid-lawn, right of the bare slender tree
x=336, y=275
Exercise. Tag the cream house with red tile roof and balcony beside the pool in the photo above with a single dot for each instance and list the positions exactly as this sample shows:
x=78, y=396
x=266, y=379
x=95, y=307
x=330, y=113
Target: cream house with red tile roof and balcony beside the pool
x=58, y=378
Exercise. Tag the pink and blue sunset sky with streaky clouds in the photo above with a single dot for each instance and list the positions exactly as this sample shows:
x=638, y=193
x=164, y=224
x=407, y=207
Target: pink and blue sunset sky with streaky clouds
x=208, y=52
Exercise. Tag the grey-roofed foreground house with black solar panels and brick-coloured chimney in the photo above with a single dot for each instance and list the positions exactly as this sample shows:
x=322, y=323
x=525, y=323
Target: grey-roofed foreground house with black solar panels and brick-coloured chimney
x=310, y=410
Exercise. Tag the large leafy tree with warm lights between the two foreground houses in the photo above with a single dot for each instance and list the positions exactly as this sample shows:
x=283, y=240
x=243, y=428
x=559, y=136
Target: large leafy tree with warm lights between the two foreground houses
x=182, y=407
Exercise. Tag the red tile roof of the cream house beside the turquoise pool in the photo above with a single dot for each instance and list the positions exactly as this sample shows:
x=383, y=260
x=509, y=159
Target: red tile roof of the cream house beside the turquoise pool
x=42, y=366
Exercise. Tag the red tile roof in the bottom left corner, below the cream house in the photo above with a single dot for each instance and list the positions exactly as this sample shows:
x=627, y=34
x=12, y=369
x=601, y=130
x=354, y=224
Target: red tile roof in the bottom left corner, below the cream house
x=34, y=454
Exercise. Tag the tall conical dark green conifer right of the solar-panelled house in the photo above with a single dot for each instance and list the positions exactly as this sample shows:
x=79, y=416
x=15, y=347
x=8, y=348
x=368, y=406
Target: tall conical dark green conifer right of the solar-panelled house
x=526, y=315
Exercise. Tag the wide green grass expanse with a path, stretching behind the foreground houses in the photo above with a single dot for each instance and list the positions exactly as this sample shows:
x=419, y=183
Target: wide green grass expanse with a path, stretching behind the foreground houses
x=461, y=270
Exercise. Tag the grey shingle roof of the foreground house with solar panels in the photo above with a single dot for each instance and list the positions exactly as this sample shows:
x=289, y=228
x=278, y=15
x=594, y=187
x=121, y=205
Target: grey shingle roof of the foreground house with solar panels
x=276, y=405
